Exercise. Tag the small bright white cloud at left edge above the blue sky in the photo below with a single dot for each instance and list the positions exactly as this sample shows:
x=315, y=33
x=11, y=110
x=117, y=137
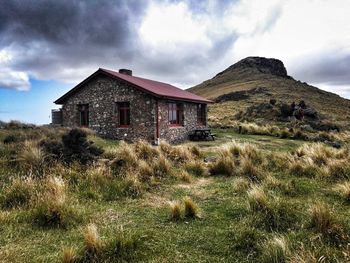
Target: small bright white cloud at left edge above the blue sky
x=9, y=78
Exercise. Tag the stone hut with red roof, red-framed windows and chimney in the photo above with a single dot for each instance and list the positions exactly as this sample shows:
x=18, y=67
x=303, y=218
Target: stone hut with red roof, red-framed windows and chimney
x=120, y=106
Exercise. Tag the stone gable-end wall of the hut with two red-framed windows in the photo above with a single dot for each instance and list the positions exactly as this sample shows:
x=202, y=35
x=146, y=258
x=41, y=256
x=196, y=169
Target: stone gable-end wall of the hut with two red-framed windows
x=102, y=93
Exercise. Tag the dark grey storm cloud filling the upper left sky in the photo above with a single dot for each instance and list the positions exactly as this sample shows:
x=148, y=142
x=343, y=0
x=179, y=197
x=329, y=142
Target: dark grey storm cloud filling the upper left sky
x=51, y=38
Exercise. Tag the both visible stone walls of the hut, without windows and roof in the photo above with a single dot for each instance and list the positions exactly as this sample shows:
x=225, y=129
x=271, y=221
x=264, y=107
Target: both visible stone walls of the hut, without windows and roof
x=102, y=93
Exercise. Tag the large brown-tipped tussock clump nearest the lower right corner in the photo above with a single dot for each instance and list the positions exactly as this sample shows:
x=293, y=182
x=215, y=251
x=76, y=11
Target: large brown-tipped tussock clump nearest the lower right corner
x=323, y=221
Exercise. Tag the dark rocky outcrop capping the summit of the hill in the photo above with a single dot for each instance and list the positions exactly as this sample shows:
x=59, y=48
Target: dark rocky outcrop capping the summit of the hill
x=264, y=65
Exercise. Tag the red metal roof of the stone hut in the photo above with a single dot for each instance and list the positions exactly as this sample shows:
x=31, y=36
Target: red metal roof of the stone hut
x=156, y=88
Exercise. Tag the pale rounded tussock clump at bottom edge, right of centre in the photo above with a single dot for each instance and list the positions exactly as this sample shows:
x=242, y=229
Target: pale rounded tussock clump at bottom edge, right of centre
x=275, y=250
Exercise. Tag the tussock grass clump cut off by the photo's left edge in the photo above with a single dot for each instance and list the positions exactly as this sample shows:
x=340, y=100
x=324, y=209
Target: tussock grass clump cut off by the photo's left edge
x=19, y=193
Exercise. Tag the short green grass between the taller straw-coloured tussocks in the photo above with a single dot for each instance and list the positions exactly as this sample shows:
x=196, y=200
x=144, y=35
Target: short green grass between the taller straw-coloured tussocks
x=138, y=228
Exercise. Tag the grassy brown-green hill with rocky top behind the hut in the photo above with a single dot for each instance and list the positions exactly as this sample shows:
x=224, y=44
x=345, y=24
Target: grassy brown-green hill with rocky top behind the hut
x=256, y=80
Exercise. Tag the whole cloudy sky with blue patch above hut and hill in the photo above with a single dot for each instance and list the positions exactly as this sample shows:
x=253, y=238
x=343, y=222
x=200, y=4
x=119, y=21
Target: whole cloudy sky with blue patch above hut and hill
x=49, y=46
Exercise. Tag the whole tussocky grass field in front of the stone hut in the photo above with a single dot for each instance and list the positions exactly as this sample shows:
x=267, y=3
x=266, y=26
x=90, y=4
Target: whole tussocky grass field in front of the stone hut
x=256, y=199
